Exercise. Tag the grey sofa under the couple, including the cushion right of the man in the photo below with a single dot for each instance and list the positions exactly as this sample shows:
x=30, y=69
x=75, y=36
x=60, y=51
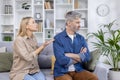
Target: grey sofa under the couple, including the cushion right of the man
x=44, y=60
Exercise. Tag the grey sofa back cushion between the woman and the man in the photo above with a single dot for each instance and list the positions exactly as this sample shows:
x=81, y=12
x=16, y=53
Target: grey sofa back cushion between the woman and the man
x=44, y=59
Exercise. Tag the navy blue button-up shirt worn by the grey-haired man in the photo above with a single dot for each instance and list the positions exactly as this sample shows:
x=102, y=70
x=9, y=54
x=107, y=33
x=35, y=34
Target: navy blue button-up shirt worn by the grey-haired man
x=63, y=44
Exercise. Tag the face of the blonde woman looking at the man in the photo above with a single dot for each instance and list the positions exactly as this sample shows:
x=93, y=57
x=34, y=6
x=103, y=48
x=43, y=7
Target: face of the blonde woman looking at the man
x=32, y=25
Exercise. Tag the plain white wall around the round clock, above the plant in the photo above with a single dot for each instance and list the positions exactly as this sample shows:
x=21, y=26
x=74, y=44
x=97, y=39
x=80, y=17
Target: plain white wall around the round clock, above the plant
x=95, y=20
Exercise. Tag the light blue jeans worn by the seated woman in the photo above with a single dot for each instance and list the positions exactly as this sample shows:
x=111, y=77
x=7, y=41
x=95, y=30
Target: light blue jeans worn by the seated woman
x=36, y=76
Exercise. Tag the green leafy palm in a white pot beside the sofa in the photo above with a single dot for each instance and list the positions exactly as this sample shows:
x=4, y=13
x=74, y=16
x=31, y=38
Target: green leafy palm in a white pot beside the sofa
x=108, y=42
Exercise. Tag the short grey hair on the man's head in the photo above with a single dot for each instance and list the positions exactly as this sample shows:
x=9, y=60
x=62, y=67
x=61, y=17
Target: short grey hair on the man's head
x=72, y=15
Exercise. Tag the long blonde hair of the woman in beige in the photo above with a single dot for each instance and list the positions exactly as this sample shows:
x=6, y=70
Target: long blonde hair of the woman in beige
x=23, y=24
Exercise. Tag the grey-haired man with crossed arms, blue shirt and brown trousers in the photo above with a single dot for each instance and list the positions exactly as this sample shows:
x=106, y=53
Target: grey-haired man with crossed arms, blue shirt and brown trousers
x=71, y=52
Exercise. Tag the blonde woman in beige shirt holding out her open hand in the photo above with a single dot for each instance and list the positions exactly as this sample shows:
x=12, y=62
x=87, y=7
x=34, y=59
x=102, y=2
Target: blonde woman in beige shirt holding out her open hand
x=25, y=65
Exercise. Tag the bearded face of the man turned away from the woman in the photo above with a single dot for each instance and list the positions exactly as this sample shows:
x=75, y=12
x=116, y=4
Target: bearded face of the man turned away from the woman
x=75, y=25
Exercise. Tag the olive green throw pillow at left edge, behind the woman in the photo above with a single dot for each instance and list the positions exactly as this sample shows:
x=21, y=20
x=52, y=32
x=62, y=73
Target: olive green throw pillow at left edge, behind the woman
x=6, y=60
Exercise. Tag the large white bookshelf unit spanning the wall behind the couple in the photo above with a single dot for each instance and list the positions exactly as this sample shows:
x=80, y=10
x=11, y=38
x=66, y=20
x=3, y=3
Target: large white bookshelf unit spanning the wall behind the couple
x=49, y=15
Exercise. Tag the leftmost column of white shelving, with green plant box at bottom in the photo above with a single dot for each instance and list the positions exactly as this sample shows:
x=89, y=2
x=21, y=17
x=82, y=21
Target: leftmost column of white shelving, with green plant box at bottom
x=6, y=20
